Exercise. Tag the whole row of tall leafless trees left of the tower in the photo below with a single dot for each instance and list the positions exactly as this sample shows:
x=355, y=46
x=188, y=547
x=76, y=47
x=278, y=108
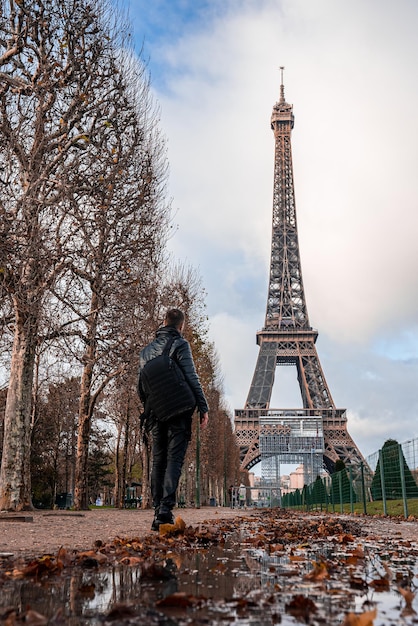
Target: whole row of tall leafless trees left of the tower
x=84, y=222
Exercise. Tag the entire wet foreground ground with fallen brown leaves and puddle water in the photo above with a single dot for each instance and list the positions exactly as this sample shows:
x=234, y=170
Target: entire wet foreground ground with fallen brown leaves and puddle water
x=266, y=569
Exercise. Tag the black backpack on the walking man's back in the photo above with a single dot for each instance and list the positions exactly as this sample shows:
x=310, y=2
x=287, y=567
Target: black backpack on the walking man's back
x=167, y=391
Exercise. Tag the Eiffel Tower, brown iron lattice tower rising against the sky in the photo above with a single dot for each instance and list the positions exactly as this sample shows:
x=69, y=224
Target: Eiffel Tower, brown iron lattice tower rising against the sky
x=288, y=339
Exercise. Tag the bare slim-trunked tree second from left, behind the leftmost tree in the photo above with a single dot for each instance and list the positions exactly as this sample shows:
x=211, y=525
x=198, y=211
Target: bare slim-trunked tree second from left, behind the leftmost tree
x=123, y=233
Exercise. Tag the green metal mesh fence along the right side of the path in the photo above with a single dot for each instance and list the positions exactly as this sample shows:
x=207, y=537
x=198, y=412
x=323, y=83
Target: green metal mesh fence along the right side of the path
x=386, y=482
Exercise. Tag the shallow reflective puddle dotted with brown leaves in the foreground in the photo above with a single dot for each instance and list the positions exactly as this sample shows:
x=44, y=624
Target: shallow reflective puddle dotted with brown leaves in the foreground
x=236, y=583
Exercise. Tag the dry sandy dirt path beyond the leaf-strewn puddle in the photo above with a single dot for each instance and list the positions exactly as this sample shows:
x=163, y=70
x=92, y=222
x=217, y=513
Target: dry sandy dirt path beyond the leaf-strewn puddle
x=41, y=532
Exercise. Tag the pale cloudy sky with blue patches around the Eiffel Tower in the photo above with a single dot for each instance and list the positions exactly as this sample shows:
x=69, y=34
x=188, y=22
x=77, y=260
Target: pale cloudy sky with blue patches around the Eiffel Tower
x=351, y=75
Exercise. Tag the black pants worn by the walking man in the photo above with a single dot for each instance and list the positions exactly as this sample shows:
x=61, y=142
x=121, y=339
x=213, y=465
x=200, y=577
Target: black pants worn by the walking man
x=169, y=445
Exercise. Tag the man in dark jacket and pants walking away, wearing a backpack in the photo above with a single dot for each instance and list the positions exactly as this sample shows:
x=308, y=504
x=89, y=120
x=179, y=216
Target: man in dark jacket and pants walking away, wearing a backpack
x=167, y=416
